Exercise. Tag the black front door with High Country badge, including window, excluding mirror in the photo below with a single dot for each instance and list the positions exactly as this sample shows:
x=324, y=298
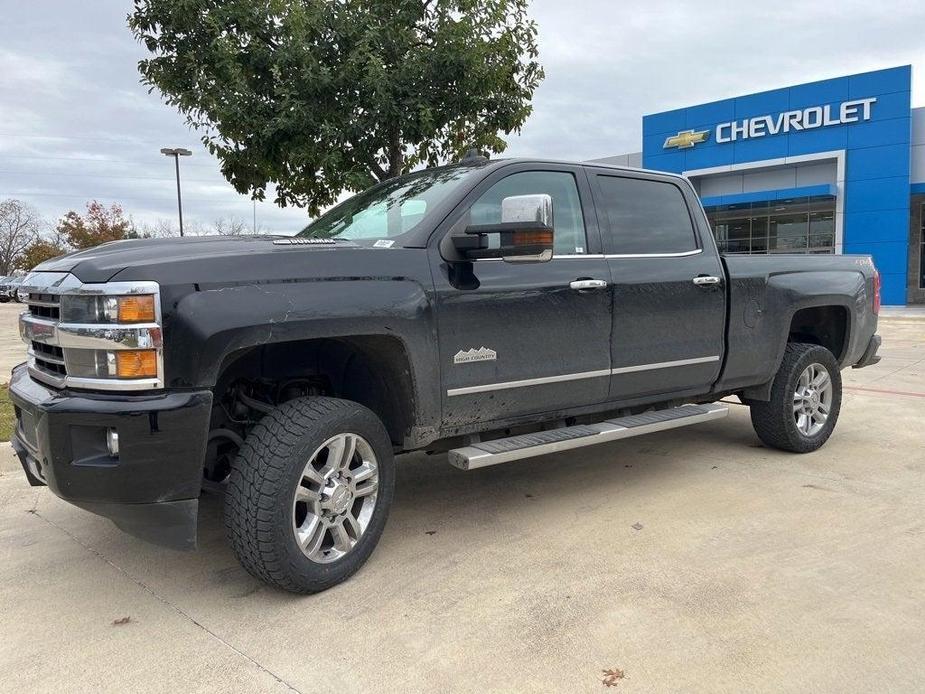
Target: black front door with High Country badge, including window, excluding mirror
x=524, y=338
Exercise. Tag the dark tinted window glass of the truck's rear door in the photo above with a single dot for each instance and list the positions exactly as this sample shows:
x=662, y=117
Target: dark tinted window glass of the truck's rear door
x=647, y=217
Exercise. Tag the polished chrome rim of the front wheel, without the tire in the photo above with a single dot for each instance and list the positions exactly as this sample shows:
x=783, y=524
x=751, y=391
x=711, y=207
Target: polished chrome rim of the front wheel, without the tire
x=336, y=497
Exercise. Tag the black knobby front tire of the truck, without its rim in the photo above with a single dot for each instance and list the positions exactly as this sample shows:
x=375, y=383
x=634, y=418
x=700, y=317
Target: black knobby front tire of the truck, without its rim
x=263, y=482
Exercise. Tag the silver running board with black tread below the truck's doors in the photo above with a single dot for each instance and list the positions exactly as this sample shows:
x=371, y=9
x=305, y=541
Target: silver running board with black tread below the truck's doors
x=555, y=440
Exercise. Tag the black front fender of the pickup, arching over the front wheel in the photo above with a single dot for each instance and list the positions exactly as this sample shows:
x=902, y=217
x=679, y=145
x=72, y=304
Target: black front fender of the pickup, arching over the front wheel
x=210, y=325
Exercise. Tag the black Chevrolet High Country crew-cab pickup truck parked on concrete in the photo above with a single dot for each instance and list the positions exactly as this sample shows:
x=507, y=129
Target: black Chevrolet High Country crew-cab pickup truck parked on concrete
x=490, y=310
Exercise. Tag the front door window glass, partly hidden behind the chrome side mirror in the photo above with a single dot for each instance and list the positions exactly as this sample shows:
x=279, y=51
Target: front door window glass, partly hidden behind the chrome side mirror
x=568, y=223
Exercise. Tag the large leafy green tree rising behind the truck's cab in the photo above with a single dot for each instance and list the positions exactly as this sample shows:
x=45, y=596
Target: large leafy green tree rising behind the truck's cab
x=320, y=97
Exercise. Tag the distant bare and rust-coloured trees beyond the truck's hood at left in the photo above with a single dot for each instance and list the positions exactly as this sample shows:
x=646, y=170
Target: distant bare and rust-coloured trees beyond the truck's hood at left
x=26, y=239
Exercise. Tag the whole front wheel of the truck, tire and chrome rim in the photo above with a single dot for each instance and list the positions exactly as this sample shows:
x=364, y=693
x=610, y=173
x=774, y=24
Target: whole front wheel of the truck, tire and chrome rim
x=309, y=493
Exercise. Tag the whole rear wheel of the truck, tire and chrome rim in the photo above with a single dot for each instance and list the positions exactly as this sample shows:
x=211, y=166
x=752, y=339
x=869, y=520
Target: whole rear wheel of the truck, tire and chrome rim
x=805, y=400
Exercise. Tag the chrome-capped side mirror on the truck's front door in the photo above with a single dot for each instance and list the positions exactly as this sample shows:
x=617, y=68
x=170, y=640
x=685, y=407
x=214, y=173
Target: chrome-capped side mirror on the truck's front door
x=526, y=232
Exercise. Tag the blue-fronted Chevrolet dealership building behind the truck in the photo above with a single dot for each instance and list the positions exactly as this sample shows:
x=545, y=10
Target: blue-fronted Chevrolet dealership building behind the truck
x=836, y=166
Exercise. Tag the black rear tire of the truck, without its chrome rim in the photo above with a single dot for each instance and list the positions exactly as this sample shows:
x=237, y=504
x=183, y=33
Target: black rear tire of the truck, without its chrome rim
x=775, y=422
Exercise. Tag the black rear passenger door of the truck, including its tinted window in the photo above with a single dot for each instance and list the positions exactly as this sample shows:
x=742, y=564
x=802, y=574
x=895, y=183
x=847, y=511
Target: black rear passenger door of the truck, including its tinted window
x=669, y=306
